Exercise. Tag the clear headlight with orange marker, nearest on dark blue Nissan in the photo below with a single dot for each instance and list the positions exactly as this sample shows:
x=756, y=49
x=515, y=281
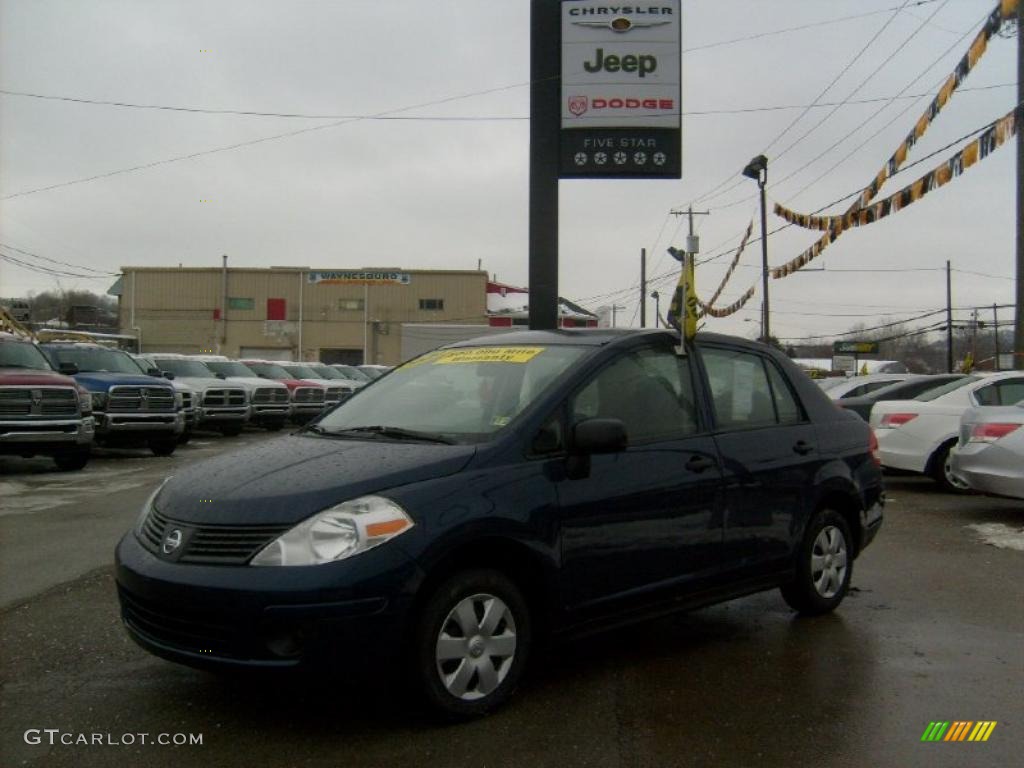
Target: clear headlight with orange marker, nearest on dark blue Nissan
x=335, y=534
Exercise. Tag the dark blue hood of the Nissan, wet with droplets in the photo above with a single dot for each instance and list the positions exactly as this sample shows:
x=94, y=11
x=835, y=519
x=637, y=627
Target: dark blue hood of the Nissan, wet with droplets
x=285, y=481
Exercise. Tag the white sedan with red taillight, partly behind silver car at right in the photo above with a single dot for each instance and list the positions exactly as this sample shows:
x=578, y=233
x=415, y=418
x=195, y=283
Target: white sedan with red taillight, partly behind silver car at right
x=919, y=436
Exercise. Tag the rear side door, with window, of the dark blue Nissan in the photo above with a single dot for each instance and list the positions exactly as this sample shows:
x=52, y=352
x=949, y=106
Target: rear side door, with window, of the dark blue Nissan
x=770, y=455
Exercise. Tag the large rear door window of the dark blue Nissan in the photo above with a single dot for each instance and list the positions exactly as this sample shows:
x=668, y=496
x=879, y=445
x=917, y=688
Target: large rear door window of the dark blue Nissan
x=740, y=390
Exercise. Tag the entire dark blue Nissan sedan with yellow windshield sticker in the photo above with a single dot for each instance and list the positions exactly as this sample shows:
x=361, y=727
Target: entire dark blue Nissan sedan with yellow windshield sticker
x=489, y=495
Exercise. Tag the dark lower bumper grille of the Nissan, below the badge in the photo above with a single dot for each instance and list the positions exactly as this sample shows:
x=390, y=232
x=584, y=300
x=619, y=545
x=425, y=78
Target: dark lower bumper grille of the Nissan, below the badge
x=191, y=628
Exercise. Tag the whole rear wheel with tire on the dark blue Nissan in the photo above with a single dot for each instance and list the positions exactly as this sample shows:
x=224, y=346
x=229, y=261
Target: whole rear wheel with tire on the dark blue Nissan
x=825, y=566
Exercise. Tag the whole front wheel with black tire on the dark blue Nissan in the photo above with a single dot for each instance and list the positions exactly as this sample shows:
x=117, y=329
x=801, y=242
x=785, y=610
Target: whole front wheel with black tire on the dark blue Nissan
x=453, y=635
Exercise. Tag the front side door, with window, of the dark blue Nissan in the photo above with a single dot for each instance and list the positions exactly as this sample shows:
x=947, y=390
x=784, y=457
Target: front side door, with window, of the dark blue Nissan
x=647, y=522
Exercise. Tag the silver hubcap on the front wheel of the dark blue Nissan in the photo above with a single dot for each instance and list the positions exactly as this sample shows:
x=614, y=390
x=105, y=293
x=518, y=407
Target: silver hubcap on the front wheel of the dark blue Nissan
x=476, y=647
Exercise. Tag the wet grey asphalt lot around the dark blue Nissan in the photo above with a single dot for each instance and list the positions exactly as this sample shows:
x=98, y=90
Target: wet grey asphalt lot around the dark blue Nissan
x=933, y=631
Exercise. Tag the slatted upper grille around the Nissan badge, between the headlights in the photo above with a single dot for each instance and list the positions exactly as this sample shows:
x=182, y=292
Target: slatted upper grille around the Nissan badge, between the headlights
x=211, y=545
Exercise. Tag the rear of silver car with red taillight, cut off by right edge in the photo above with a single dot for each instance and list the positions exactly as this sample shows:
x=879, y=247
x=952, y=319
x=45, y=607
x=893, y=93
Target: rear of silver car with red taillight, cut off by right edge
x=991, y=455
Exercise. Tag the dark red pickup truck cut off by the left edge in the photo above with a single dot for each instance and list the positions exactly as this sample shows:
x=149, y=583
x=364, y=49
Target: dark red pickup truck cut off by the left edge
x=42, y=412
